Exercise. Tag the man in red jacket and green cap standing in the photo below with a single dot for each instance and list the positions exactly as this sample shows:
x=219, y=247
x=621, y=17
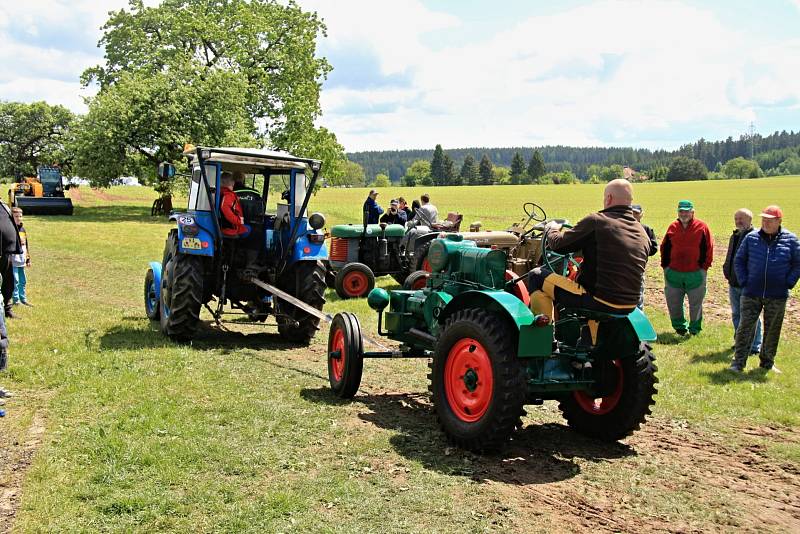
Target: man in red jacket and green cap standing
x=686, y=254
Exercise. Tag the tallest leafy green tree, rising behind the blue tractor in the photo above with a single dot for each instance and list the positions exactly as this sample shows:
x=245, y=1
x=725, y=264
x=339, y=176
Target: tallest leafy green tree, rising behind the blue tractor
x=206, y=72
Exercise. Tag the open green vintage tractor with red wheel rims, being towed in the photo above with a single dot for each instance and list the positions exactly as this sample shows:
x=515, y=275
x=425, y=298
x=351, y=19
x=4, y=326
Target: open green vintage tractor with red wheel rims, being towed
x=491, y=355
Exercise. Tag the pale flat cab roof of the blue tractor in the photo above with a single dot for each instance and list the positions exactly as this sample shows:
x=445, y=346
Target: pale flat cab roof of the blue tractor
x=252, y=159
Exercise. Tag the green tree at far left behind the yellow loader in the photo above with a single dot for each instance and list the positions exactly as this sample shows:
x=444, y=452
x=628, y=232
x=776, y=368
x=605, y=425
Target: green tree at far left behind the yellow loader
x=32, y=135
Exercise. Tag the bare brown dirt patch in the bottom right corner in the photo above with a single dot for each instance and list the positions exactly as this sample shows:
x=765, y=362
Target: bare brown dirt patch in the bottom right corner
x=755, y=492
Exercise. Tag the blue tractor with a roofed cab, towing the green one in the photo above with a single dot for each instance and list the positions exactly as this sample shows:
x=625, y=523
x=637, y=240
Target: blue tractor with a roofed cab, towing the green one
x=277, y=269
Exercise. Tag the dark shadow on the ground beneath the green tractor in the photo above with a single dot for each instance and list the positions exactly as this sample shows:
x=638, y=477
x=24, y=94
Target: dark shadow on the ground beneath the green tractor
x=537, y=454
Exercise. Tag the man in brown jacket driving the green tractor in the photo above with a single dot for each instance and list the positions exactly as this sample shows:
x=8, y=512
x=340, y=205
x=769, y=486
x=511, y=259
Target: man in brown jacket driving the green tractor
x=615, y=248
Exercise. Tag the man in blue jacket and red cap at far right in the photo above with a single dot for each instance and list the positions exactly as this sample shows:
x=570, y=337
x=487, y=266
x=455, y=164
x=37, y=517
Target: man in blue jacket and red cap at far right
x=767, y=266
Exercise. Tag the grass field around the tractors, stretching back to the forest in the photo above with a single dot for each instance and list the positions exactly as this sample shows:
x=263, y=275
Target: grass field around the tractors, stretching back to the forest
x=115, y=428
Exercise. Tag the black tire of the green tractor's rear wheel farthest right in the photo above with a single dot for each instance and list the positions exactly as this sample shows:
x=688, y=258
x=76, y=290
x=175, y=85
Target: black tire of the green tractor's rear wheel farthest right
x=628, y=410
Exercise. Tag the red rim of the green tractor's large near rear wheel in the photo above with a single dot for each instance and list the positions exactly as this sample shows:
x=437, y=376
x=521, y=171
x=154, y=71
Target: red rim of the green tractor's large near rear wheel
x=468, y=380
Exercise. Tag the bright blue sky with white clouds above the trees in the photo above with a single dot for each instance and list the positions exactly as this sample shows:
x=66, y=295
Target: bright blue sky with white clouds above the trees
x=475, y=73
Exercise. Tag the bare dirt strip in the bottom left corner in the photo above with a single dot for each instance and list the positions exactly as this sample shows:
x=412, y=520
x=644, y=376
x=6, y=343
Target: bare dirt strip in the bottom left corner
x=17, y=459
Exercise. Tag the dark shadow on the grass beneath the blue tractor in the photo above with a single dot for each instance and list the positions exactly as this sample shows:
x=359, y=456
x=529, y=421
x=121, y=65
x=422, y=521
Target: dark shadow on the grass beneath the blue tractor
x=208, y=337
